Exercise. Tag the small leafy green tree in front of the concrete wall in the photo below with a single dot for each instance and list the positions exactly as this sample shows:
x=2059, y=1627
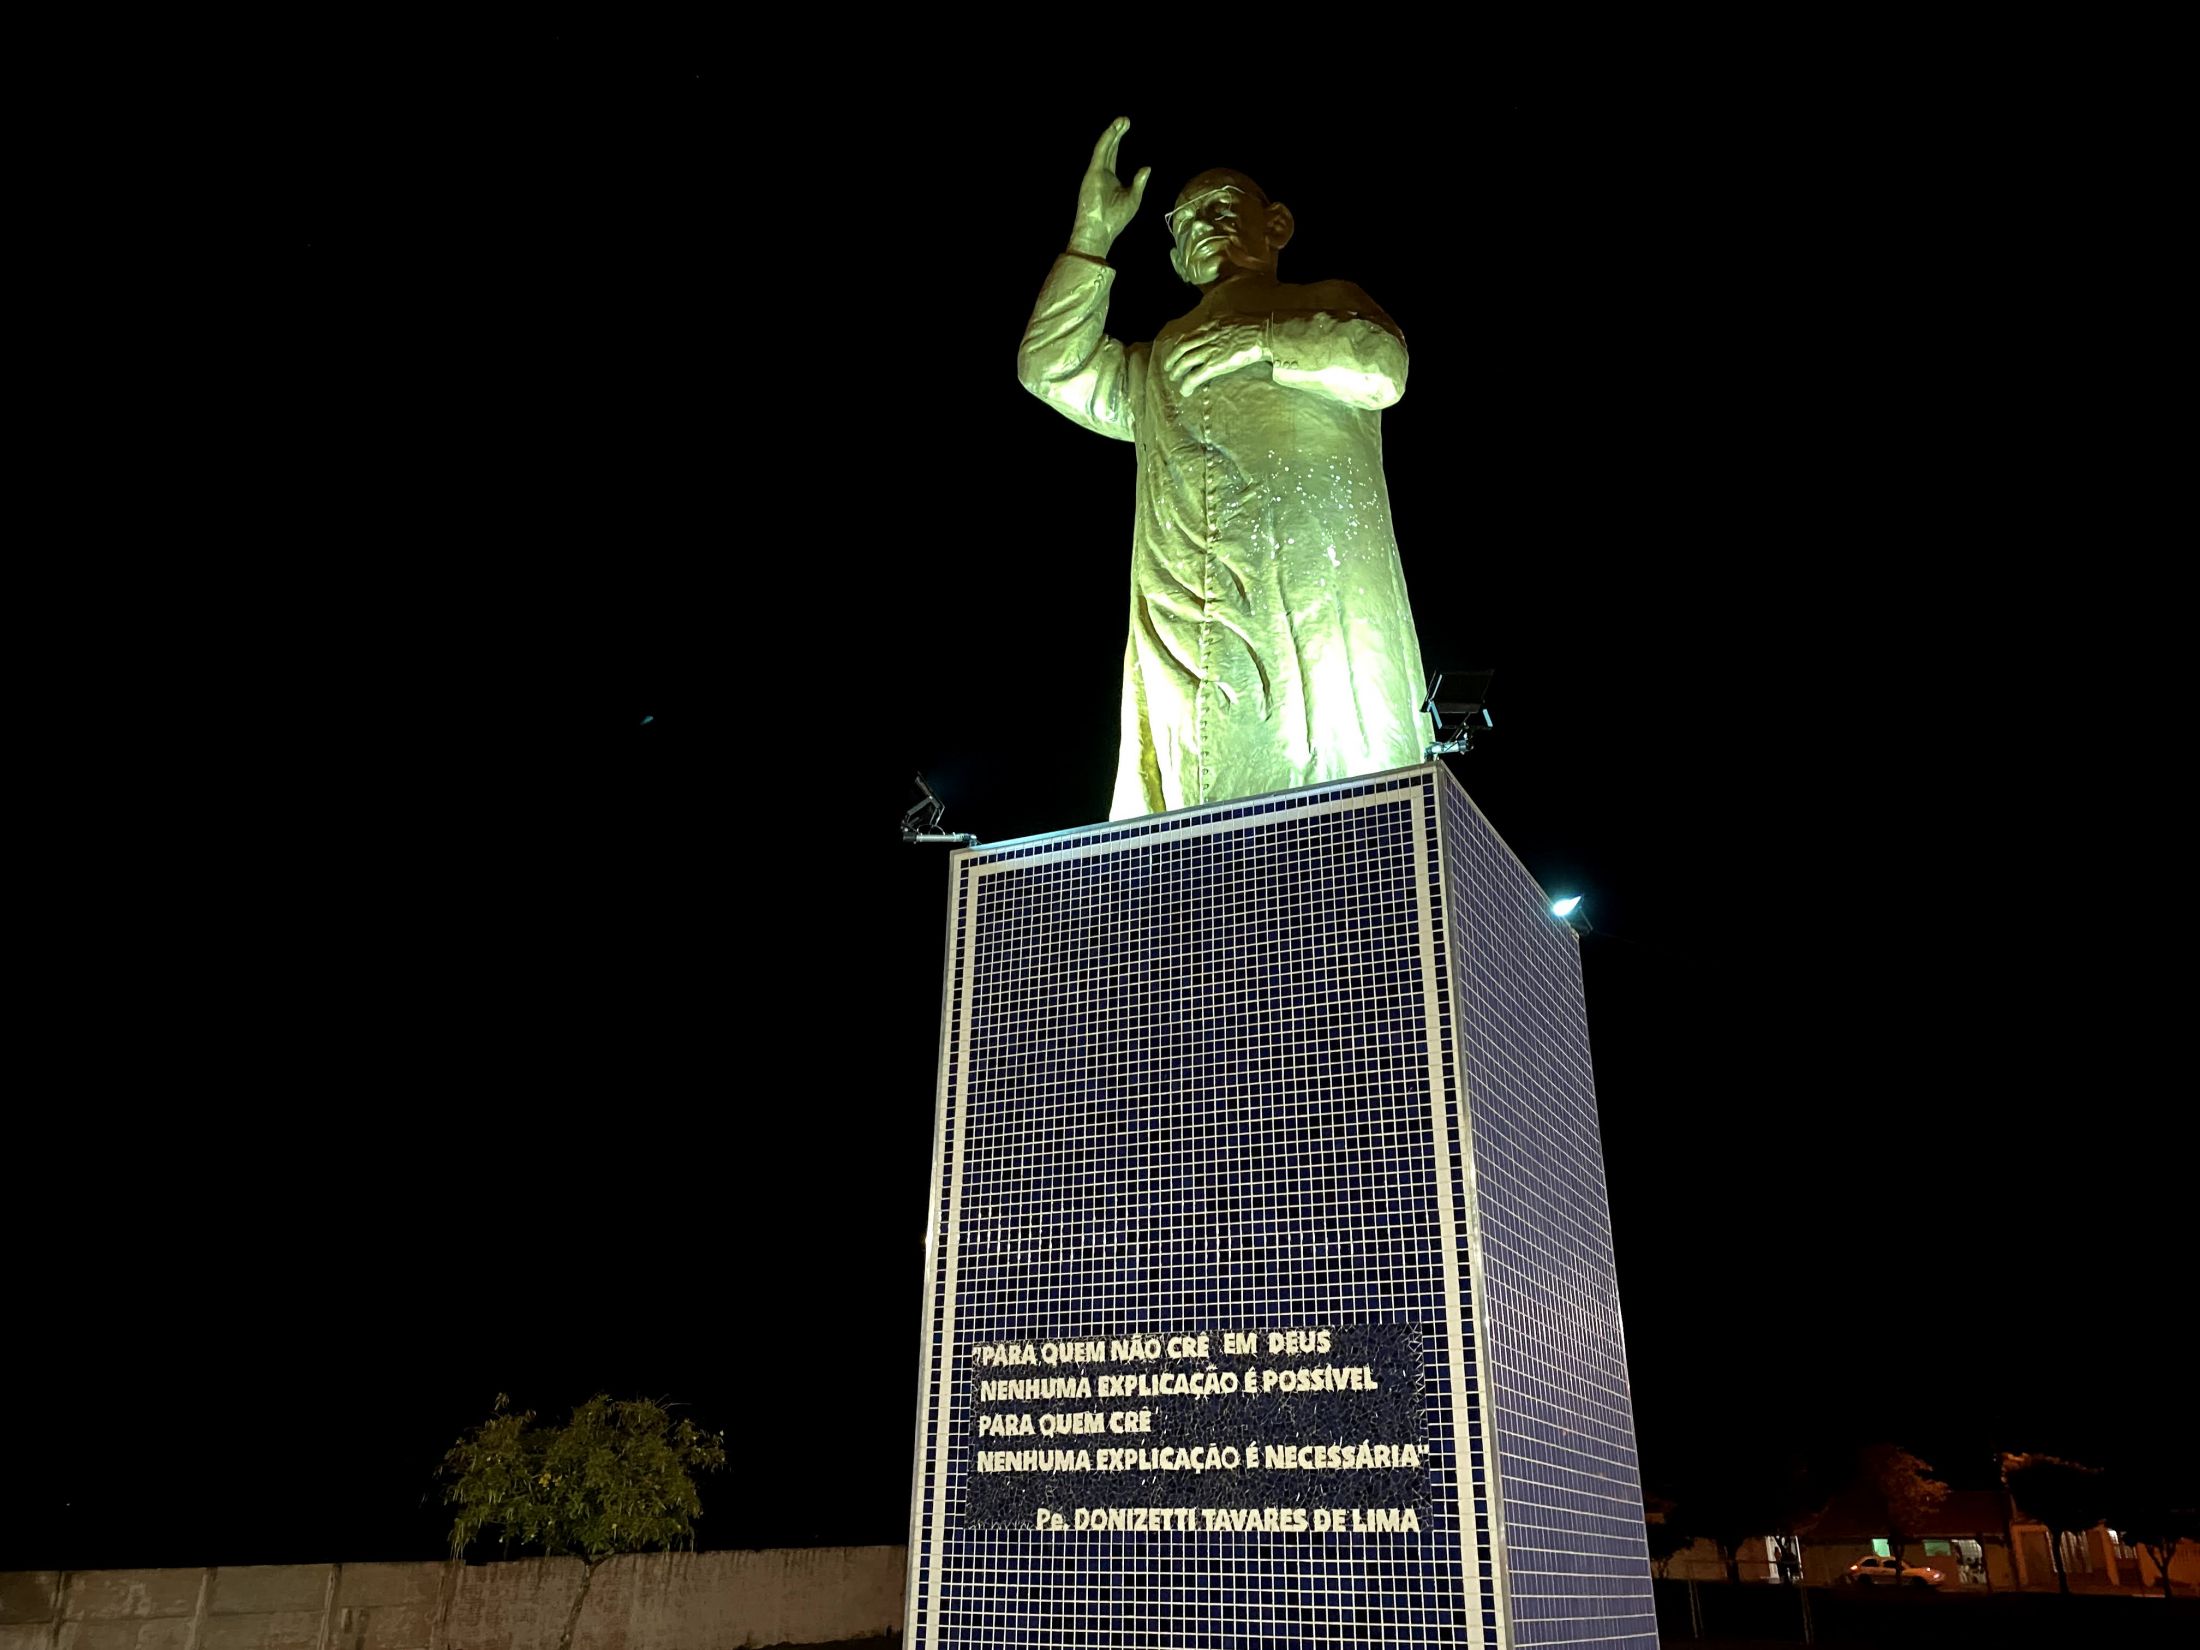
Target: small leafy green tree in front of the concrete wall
x=619, y=1477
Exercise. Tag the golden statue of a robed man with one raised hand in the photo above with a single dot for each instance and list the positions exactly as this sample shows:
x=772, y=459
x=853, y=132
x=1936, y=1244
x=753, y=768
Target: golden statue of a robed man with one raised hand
x=1270, y=635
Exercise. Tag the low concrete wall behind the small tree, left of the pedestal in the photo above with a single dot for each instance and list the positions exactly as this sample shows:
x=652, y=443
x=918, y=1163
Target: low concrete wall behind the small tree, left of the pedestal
x=650, y=1603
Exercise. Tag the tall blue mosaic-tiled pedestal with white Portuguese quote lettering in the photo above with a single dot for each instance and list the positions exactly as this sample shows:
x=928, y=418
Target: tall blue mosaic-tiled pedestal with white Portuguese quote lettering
x=1308, y=1064
